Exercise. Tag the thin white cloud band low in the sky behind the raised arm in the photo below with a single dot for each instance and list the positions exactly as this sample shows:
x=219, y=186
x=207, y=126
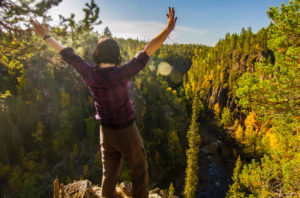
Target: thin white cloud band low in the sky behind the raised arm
x=146, y=30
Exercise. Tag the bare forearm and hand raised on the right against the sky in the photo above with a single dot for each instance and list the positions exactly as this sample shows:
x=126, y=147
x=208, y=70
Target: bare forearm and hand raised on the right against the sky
x=155, y=43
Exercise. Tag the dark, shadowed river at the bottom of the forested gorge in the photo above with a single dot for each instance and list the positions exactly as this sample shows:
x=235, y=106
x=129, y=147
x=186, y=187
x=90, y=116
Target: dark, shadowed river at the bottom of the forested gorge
x=217, y=154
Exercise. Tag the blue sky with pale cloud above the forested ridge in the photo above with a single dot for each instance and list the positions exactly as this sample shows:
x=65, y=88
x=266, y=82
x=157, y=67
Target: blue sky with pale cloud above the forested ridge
x=199, y=21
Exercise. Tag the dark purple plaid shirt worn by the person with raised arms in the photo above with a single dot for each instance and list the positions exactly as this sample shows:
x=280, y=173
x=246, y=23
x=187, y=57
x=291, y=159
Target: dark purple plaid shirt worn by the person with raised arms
x=109, y=86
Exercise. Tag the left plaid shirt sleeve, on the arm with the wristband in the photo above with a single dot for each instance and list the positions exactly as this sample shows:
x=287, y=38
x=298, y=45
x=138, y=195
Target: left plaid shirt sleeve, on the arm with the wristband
x=80, y=65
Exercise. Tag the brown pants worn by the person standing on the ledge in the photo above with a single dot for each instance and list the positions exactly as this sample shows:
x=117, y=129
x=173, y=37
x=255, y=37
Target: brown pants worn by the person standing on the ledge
x=127, y=144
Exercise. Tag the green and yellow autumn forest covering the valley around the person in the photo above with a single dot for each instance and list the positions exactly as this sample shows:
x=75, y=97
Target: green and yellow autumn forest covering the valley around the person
x=248, y=84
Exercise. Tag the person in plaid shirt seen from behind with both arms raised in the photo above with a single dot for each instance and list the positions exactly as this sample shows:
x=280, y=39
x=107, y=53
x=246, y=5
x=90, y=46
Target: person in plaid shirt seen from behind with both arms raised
x=109, y=85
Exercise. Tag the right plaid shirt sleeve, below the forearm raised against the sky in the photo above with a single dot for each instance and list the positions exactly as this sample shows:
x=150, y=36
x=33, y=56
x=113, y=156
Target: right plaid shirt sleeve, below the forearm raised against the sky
x=130, y=69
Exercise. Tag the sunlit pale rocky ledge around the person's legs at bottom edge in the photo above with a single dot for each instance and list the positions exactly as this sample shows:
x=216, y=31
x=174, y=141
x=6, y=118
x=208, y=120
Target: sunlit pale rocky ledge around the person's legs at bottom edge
x=85, y=189
